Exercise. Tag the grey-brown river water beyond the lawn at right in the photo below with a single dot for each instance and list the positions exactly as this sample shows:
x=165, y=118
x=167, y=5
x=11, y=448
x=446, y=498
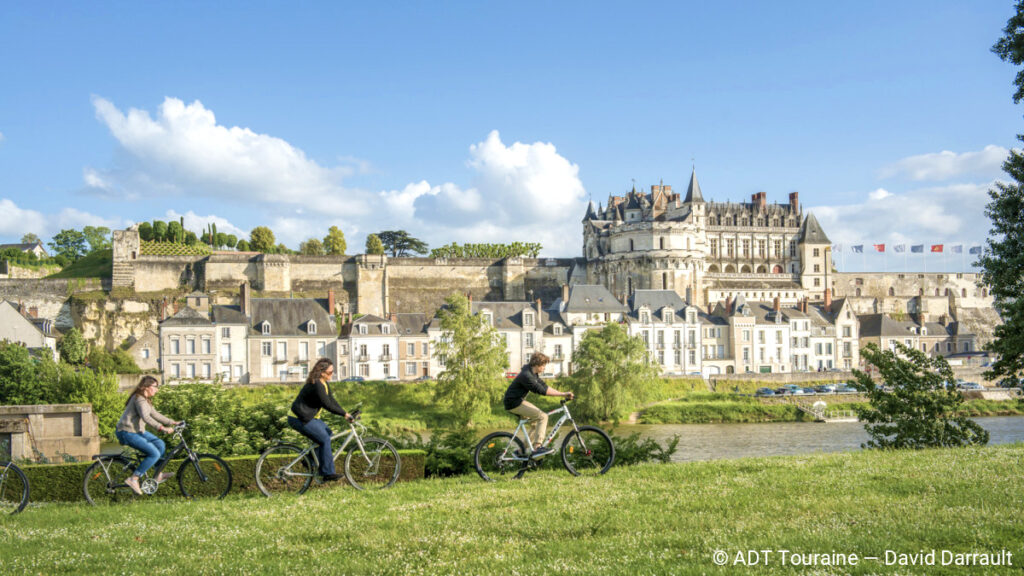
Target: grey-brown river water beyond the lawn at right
x=714, y=442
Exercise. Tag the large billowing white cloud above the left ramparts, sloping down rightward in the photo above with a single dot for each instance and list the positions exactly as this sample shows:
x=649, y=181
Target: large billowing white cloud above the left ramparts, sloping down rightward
x=184, y=151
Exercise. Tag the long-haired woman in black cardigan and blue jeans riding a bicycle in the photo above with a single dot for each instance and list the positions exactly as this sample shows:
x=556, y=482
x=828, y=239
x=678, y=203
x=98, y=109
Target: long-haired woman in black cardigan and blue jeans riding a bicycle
x=315, y=397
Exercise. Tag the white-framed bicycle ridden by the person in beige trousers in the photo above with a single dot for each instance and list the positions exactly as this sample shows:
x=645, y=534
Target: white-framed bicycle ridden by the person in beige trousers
x=586, y=450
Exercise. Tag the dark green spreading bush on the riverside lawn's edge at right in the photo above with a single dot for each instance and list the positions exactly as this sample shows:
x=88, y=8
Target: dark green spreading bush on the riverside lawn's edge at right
x=921, y=409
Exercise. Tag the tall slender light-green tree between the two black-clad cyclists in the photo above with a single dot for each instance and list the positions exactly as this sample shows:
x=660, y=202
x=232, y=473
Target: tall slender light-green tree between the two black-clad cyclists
x=474, y=357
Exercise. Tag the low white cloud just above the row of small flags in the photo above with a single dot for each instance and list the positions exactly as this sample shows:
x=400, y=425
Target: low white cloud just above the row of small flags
x=953, y=215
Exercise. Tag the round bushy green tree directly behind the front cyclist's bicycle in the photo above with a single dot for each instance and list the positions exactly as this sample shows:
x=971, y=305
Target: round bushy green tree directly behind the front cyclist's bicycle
x=613, y=374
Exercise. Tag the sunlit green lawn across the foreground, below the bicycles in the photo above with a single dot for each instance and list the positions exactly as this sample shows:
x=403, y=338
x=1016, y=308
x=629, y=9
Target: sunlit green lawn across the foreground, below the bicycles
x=659, y=519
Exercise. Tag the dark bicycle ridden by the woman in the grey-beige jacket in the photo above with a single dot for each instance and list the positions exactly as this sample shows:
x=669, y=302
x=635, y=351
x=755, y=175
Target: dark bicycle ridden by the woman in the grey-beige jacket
x=199, y=475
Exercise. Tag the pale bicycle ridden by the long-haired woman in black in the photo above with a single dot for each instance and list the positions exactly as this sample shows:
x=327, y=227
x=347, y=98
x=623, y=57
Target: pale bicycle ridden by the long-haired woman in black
x=370, y=463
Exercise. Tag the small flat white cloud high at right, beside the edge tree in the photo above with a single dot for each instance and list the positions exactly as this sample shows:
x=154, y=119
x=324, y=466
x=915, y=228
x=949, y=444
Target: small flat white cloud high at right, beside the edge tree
x=946, y=166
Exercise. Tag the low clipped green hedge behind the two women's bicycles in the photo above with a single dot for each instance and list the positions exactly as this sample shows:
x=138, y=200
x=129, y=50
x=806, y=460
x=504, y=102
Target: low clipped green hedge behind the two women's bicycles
x=63, y=483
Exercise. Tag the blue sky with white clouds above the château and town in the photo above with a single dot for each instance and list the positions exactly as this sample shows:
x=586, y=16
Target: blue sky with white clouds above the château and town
x=474, y=122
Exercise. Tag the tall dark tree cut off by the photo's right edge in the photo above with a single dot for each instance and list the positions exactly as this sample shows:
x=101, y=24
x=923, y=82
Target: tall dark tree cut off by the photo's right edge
x=1003, y=262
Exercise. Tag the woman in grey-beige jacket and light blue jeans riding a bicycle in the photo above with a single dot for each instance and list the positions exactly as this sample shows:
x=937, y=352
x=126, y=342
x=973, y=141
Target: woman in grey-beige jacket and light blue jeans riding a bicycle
x=132, y=430
